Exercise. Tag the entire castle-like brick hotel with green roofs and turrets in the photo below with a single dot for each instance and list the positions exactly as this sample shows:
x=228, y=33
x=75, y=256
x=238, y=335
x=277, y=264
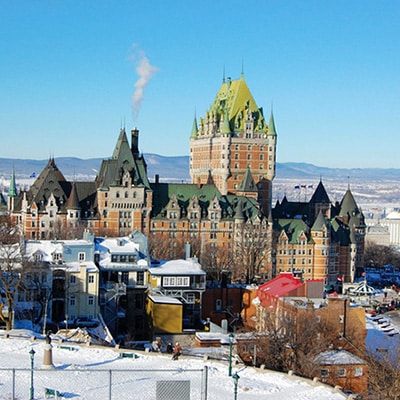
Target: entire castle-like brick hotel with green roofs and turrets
x=226, y=213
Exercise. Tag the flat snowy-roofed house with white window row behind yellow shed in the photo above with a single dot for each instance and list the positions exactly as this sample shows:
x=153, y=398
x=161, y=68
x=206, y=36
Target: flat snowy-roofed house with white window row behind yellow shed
x=183, y=280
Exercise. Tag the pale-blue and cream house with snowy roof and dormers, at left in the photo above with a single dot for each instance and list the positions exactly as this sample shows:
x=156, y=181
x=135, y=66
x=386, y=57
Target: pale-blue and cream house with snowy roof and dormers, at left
x=69, y=278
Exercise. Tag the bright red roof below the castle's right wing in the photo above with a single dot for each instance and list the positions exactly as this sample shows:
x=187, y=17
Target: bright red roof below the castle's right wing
x=282, y=286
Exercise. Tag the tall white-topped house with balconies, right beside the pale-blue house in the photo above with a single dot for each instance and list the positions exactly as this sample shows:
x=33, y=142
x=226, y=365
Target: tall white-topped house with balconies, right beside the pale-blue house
x=123, y=263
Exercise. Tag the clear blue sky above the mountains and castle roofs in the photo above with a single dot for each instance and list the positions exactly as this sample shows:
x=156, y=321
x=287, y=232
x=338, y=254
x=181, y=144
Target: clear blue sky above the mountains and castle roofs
x=329, y=69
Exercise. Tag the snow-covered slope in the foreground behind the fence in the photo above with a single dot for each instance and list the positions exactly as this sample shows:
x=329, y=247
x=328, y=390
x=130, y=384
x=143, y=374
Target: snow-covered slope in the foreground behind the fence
x=69, y=363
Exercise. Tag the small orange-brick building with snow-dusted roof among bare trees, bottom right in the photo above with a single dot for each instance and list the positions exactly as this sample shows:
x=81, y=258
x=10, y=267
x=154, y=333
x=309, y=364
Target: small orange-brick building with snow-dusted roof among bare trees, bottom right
x=344, y=369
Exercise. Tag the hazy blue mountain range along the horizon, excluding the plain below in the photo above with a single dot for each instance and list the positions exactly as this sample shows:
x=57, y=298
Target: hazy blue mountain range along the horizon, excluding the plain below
x=177, y=169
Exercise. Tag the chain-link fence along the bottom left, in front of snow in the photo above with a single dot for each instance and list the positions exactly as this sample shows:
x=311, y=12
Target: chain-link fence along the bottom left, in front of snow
x=72, y=383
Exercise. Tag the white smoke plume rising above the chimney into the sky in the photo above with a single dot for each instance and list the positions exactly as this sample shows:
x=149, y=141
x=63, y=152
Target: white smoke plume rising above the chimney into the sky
x=145, y=71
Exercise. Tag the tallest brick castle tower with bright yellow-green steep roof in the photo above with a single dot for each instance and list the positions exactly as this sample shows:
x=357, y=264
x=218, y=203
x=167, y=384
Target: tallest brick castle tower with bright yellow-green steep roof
x=232, y=138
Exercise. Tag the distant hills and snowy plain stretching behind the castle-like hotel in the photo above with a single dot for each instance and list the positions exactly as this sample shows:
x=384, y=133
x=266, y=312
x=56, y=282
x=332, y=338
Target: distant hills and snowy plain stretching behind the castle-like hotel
x=371, y=186
